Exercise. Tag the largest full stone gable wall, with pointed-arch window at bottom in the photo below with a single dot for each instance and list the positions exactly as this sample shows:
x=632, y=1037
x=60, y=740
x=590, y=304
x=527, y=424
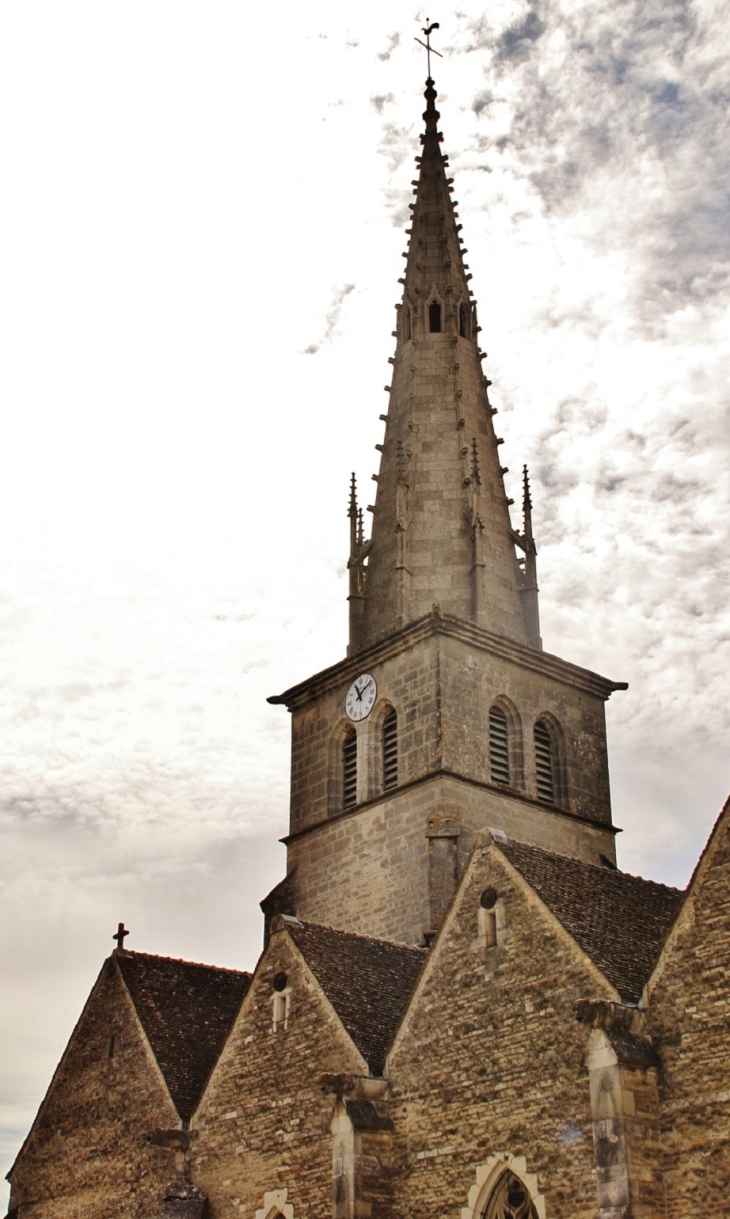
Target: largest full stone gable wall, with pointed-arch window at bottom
x=491, y=1060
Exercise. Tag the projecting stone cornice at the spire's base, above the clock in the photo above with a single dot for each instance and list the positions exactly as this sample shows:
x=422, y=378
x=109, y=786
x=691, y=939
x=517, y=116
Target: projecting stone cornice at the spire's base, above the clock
x=453, y=628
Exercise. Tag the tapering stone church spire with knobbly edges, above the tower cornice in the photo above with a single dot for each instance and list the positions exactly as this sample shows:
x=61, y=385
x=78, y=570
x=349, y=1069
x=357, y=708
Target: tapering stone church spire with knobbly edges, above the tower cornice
x=442, y=531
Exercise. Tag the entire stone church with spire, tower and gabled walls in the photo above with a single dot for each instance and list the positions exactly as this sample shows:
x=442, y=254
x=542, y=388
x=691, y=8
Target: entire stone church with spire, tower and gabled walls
x=462, y=1010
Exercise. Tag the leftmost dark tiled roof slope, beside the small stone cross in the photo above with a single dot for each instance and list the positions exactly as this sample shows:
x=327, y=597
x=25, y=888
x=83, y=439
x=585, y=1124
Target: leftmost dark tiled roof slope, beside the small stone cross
x=187, y=1012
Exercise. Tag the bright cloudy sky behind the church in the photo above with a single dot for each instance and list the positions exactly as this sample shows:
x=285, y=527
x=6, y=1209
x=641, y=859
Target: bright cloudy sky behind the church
x=202, y=231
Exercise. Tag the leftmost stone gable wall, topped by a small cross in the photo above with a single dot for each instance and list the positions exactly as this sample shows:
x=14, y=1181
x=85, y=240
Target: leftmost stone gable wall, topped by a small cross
x=87, y=1156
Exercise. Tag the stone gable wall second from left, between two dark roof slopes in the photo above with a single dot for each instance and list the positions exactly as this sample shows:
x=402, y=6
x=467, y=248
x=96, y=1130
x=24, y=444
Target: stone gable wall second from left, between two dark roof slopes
x=264, y=1125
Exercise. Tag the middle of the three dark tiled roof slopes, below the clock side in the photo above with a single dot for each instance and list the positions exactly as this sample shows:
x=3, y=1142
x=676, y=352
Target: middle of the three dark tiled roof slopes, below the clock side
x=367, y=982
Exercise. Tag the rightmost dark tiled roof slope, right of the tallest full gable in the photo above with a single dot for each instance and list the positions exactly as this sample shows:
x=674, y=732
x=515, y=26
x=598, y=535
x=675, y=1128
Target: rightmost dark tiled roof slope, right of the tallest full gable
x=620, y=921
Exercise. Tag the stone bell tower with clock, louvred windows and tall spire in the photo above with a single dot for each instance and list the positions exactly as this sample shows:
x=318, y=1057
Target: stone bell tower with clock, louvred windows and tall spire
x=447, y=719
